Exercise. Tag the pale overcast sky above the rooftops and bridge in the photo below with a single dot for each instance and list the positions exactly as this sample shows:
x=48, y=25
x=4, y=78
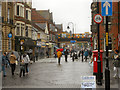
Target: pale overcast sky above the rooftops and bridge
x=65, y=11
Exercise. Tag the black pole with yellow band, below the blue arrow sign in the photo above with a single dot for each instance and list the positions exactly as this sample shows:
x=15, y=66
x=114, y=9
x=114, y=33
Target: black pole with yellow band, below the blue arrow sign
x=107, y=71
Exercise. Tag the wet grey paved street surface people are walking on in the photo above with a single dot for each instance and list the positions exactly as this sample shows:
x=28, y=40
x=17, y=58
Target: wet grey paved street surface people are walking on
x=46, y=73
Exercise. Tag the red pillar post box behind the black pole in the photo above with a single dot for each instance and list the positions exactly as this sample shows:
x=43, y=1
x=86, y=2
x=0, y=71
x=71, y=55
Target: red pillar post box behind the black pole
x=95, y=66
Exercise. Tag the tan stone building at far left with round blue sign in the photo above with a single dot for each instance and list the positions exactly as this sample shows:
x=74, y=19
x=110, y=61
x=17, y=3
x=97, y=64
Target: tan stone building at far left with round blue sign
x=8, y=27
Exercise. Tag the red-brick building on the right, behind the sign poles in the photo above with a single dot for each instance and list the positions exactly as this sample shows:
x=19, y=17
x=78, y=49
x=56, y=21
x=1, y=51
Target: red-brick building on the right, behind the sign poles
x=113, y=26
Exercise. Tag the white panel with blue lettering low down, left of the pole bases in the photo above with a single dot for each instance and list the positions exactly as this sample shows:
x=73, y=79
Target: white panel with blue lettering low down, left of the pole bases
x=88, y=82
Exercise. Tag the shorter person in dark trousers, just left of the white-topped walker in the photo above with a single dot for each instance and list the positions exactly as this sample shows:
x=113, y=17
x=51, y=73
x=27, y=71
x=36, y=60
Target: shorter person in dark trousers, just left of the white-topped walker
x=22, y=65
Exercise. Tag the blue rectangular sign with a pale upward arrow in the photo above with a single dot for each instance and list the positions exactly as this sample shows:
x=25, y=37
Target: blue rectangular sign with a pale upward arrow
x=106, y=7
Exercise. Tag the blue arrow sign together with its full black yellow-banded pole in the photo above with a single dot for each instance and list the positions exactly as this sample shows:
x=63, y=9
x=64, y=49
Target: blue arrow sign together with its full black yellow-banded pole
x=107, y=11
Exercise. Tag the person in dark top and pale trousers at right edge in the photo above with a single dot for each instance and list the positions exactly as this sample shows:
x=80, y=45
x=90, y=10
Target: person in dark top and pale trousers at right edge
x=117, y=64
